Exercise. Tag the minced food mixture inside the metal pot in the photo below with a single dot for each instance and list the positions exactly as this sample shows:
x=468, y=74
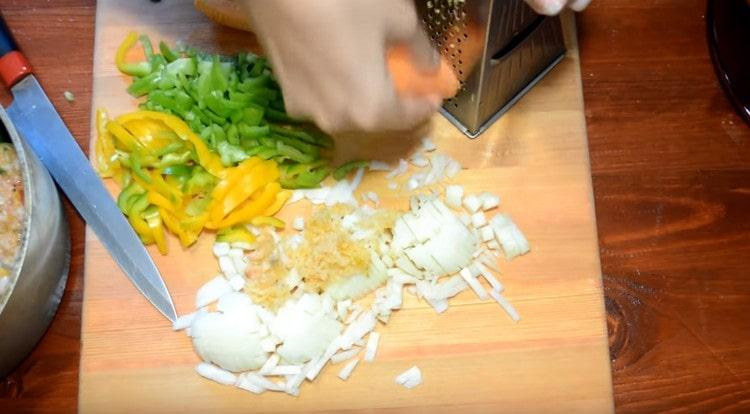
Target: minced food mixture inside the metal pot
x=11, y=212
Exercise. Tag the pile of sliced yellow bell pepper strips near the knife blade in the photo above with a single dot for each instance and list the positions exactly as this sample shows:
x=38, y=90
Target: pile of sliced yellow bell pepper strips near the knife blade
x=143, y=146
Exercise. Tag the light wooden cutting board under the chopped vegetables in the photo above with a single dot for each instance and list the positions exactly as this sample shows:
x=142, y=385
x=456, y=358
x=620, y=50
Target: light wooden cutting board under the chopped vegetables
x=473, y=357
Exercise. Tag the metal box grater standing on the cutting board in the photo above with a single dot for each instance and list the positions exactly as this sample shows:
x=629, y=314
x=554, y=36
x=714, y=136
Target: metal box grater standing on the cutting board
x=498, y=48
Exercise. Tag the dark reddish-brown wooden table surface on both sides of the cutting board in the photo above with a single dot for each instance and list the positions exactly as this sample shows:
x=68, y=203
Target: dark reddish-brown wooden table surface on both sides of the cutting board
x=671, y=172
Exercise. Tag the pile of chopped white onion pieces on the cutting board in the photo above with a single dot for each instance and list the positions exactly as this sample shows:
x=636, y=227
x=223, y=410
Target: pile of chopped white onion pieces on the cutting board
x=438, y=249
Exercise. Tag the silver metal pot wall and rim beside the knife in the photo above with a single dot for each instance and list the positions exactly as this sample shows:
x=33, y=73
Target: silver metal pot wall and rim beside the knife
x=41, y=268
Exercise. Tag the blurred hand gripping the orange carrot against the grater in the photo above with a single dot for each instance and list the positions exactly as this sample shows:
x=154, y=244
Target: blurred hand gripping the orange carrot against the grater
x=329, y=57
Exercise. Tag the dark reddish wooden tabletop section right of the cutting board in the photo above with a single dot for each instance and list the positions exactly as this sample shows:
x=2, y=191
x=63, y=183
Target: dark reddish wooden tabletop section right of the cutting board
x=671, y=171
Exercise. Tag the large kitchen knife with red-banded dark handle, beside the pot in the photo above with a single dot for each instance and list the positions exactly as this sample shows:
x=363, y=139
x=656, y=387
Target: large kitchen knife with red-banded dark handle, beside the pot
x=39, y=124
